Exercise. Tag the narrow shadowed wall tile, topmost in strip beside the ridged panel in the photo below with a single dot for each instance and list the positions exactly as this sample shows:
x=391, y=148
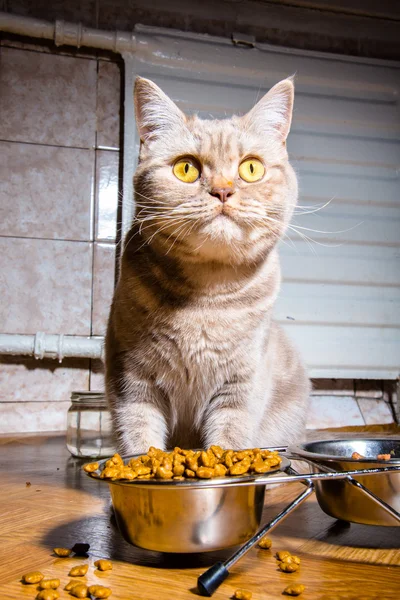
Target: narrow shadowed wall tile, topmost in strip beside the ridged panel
x=108, y=104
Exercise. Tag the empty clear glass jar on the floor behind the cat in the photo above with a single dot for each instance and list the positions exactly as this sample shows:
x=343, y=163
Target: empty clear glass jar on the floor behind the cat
x=89, y=431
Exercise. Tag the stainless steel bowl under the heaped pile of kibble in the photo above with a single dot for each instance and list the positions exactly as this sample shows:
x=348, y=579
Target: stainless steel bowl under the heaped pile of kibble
x=191, y=515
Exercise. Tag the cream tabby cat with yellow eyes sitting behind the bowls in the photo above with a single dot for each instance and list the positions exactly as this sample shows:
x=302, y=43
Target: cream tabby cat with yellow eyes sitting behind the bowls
x=193, y=357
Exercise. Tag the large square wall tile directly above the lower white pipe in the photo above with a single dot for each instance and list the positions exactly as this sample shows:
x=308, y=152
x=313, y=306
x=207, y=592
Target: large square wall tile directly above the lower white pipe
x=45, y=286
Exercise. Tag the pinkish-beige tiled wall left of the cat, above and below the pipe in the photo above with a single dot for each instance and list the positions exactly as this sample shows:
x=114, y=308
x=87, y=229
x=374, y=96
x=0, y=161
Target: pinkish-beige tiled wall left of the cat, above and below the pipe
x=59, y=173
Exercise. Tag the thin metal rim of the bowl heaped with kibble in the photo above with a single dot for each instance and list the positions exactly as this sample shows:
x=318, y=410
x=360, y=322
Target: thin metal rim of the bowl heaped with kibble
x=190, y=483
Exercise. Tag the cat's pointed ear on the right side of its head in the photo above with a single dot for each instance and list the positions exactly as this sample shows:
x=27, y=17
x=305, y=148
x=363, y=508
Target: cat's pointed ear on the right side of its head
x=273, y=113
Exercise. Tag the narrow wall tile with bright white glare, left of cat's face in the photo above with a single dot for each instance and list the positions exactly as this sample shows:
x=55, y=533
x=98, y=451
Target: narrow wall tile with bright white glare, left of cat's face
x=107, y=188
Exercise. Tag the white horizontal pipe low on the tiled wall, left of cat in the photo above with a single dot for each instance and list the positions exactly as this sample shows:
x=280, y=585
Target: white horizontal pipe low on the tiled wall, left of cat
x=56, y=346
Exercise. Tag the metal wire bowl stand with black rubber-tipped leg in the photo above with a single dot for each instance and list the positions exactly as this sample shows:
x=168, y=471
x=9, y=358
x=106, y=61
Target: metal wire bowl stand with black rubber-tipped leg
x=211, y=579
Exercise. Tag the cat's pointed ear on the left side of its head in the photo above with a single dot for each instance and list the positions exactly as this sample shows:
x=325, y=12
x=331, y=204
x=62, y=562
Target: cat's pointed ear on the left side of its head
x=155, y=112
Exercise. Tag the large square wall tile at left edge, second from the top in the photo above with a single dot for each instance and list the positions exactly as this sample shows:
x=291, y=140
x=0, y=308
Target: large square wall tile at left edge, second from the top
x=46, y=191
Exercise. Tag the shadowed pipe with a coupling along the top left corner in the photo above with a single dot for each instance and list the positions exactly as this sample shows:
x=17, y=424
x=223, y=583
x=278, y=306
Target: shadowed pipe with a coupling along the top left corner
x=64, y=33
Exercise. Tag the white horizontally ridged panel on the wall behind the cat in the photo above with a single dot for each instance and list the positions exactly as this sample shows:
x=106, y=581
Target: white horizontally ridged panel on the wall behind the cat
x=340, y=300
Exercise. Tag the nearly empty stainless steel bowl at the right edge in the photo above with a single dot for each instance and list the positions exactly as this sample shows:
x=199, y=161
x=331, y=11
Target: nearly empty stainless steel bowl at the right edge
x=343, y=501
